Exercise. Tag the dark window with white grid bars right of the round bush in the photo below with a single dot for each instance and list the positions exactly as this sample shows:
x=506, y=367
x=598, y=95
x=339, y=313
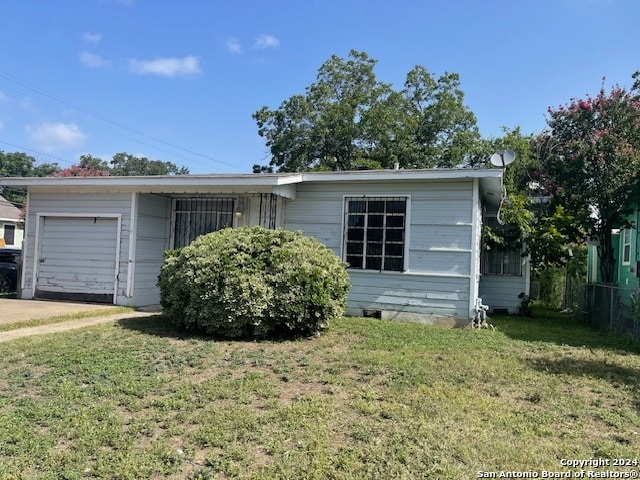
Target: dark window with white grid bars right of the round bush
x=375, y=232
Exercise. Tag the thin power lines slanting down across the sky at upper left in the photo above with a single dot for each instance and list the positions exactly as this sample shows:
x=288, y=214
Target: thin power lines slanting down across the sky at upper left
x=110, y=121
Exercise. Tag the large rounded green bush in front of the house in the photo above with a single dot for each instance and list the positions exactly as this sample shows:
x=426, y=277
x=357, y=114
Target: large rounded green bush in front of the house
x=253, y=282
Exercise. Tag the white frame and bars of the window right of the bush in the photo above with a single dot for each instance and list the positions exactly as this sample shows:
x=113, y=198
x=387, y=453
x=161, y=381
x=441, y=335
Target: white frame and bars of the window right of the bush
x=405, y=229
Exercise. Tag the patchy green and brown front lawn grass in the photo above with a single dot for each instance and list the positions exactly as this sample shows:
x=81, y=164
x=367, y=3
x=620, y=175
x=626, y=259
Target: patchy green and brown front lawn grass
x=369, y=399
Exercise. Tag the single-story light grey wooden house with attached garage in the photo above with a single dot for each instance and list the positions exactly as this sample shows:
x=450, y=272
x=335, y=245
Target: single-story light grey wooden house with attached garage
x=411, y=237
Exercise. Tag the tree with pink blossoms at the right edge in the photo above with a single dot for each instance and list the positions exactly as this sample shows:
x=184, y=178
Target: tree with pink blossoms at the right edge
x=591, y=164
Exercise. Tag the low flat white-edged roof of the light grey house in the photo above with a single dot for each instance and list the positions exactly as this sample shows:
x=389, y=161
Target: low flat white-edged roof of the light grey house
x=279, y=183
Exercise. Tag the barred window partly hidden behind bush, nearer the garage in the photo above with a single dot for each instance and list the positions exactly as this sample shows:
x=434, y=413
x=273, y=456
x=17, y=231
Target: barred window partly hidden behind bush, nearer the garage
x=197, y=216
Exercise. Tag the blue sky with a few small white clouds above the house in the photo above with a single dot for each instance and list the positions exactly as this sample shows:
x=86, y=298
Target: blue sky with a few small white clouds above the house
x=179, y=80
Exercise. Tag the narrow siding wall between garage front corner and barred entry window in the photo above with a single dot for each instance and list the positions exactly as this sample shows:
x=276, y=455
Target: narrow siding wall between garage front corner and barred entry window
x=152, y=239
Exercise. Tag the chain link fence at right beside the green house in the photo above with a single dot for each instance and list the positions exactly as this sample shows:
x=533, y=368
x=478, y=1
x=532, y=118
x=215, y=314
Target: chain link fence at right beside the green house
x=611, y=308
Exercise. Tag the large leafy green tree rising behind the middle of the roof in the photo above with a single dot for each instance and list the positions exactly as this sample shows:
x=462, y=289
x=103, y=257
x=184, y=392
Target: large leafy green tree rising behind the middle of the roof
x=348, y=120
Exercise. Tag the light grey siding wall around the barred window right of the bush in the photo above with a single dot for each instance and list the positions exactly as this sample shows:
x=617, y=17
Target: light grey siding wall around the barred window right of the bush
x=435, y=286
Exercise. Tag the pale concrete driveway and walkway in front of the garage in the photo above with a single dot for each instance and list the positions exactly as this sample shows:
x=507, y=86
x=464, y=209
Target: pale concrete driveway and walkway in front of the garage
x=16, y=310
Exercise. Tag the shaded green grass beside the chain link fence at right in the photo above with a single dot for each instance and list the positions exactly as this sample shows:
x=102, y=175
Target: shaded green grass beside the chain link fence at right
x=562, y=329
